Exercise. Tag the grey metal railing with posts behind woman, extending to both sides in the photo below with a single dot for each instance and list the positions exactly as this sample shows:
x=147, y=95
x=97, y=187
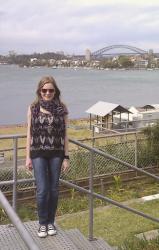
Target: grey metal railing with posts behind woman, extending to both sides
x=90, y=192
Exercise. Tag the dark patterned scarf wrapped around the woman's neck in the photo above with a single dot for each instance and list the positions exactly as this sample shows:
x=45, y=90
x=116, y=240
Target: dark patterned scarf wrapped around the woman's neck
x=53, y=106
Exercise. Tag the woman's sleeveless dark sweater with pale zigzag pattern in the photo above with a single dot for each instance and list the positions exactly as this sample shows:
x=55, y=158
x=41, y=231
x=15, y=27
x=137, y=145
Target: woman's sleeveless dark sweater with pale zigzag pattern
x=47, y=135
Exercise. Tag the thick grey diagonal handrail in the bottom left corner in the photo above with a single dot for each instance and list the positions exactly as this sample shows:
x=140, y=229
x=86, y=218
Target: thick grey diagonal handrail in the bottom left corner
x=28, y=240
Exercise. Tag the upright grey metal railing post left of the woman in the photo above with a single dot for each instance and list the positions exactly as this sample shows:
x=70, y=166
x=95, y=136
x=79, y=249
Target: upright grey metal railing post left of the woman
x=14, y=200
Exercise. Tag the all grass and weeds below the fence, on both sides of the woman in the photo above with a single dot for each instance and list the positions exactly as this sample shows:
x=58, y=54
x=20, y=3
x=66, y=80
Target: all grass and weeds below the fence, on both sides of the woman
x=115, y=225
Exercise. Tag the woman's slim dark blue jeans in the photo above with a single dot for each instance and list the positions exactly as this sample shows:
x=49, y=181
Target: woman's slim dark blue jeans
x=47, y=174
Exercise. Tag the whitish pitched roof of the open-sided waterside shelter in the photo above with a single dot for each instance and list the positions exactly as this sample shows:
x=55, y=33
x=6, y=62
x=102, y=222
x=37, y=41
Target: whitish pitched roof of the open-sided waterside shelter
x=103, y=108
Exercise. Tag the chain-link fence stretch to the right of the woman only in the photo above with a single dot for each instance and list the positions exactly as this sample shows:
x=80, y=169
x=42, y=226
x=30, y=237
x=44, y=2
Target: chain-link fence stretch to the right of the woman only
x=129, y=147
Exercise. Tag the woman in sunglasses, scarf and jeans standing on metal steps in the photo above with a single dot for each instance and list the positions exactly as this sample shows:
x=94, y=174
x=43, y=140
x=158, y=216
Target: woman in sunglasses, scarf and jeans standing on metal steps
x=47, y=150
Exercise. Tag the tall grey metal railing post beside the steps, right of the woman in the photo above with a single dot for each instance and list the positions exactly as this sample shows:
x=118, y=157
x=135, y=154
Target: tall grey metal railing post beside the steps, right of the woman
x=91, y=167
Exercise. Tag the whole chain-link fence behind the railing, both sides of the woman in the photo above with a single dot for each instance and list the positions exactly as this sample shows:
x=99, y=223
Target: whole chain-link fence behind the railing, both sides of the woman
x=129, y=147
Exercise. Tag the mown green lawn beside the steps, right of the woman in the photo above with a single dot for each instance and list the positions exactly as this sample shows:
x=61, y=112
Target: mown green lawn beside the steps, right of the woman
x=113, y=224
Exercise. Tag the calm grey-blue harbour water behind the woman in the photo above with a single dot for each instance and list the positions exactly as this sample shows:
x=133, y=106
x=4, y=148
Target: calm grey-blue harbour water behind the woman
x=81, y=88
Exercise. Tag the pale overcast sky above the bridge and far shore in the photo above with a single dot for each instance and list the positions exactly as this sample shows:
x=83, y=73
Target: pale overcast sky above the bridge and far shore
x=74, y=25
